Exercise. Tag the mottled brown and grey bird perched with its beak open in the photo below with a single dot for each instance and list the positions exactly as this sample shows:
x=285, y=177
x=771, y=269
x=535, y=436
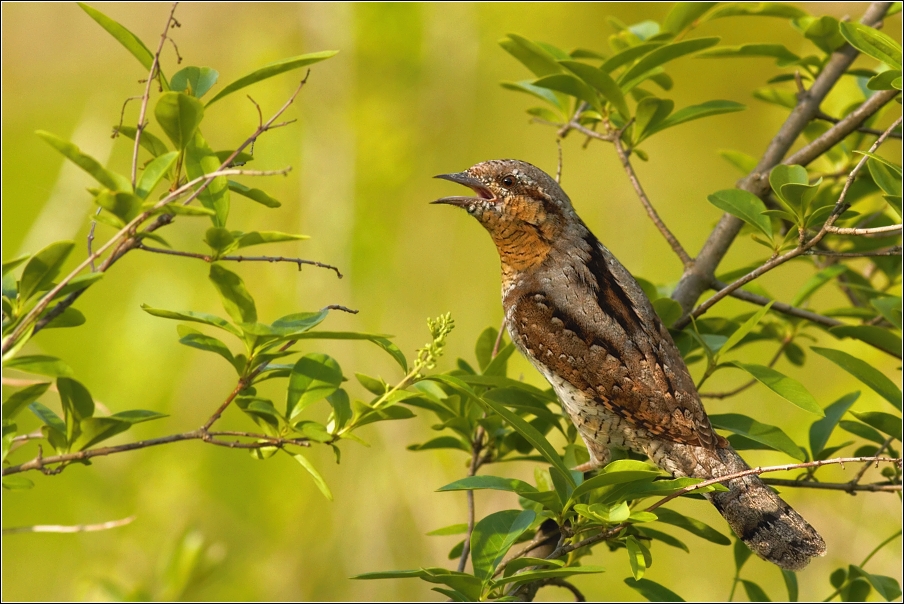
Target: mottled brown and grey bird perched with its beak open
x=585, y=323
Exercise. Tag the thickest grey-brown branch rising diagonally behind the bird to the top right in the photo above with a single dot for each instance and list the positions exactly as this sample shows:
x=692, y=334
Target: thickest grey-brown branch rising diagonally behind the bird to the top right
x=697, y=278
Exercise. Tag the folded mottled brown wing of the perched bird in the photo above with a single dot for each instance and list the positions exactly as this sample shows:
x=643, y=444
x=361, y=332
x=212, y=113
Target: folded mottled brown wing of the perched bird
x=600, y=333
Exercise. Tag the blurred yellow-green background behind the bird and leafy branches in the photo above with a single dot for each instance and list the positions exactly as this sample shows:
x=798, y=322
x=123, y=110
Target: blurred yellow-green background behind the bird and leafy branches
x=414, y=92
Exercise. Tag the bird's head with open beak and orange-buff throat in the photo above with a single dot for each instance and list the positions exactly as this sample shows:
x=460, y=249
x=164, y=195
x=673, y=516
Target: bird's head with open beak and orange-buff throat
x=522, y=207
